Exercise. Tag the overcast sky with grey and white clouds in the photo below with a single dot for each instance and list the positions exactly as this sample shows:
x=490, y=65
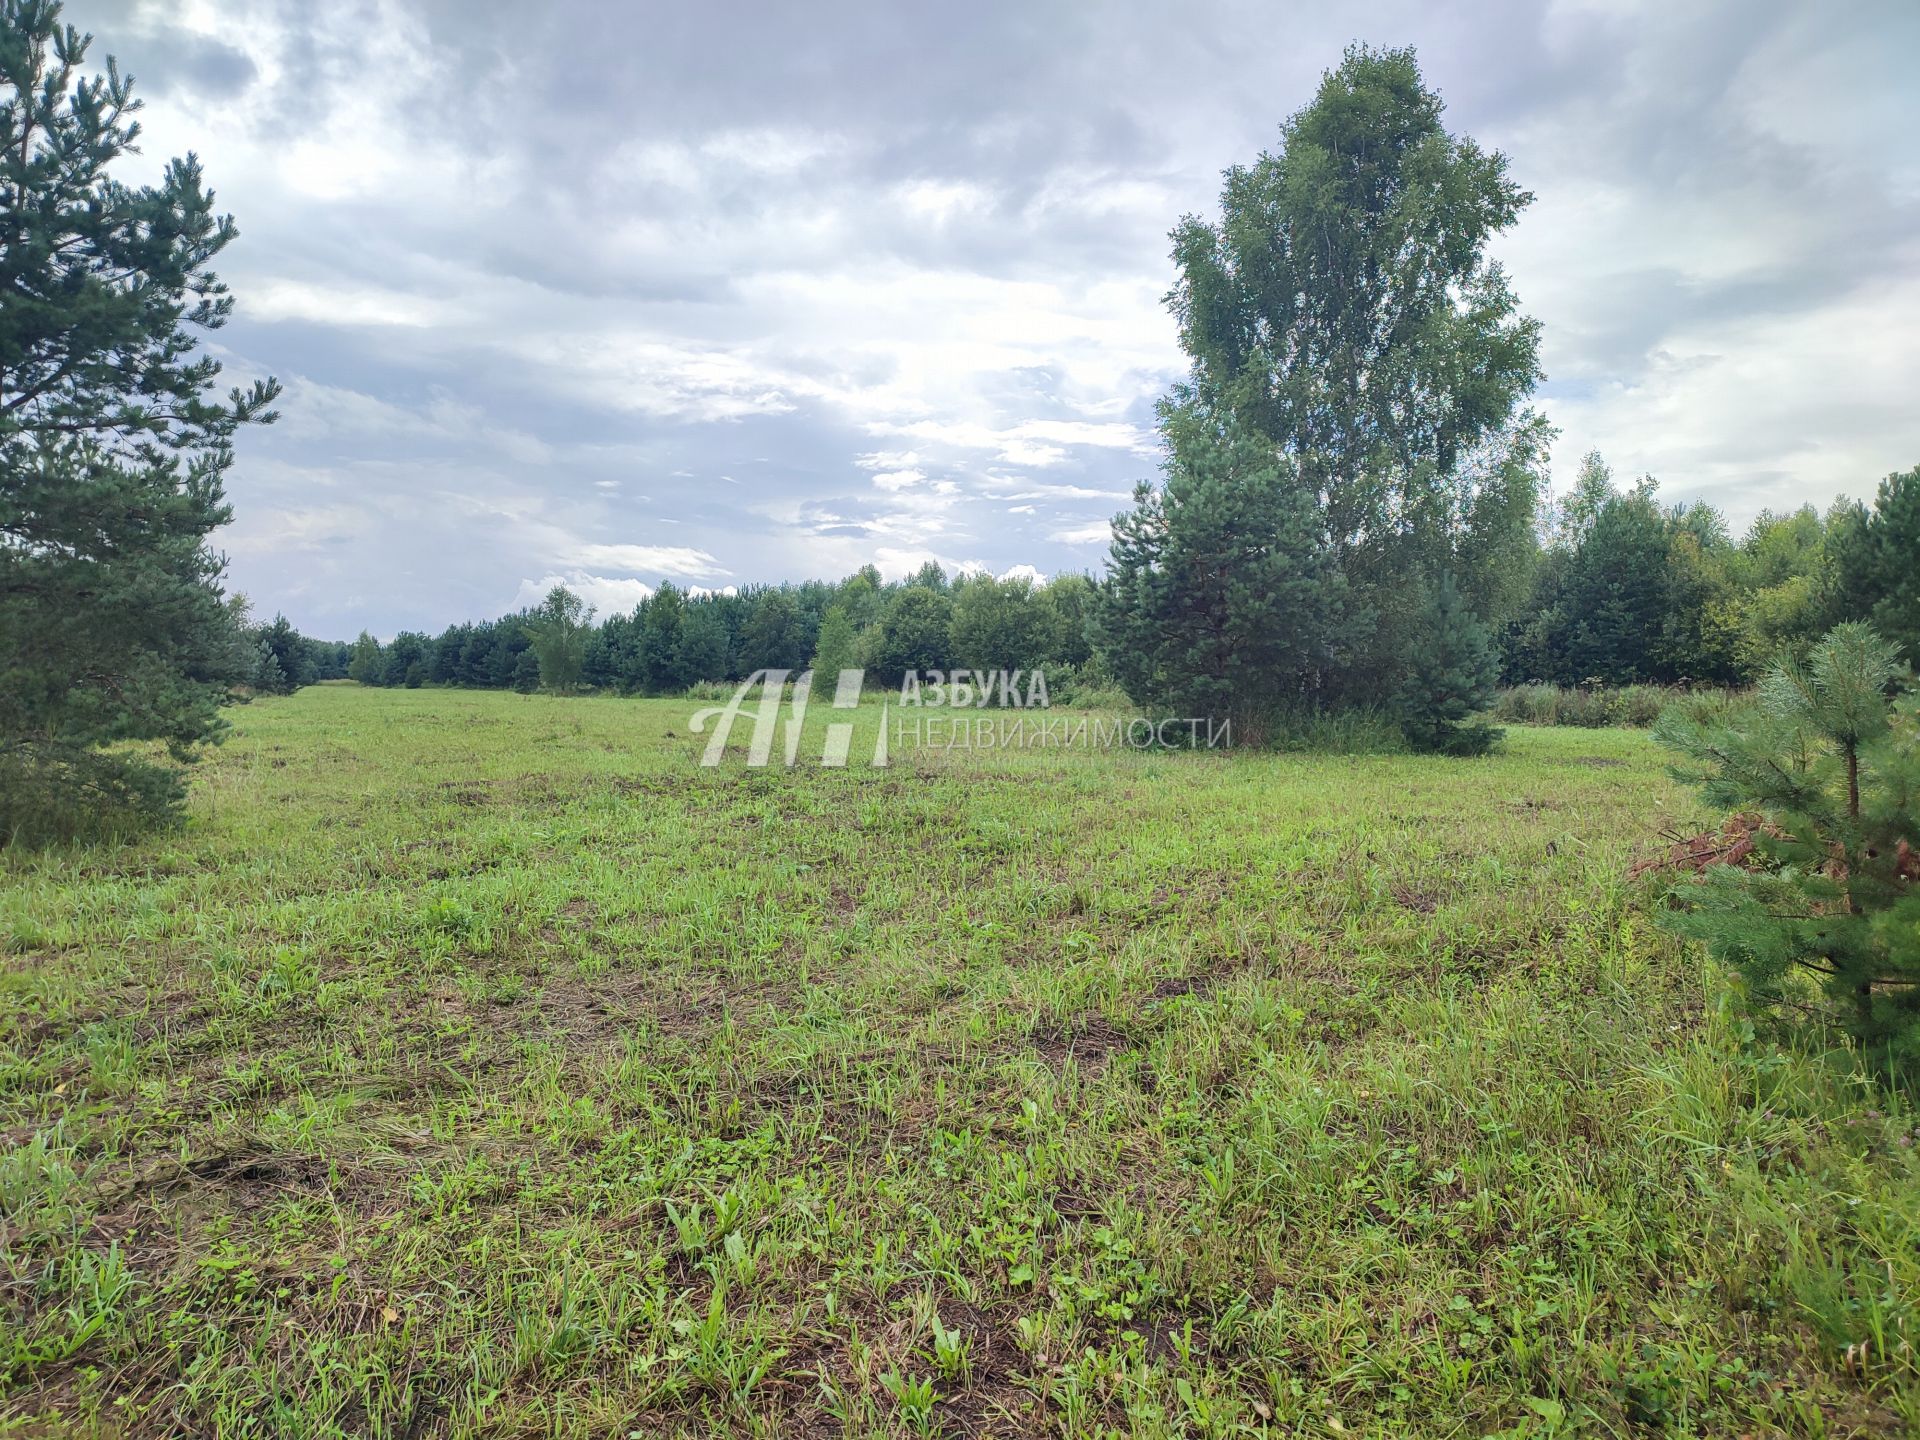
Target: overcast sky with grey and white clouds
x=729, y=293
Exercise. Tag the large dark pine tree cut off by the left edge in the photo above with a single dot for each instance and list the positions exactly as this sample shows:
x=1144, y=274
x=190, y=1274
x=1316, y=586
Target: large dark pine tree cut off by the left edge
x=112, y=448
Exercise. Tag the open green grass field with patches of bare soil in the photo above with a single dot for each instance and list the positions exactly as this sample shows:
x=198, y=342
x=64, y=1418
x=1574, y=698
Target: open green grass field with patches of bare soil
x=479, y=1065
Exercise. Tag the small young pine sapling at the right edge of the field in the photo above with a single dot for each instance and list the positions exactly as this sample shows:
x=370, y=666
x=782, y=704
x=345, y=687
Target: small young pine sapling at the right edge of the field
x=1833, y=905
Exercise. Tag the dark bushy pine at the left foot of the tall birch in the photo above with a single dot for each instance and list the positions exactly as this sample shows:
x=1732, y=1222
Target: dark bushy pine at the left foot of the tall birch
x=1220, y=600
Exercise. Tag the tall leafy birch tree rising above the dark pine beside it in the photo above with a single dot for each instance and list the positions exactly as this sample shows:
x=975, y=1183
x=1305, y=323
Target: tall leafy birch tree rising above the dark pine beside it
x=1347, y=312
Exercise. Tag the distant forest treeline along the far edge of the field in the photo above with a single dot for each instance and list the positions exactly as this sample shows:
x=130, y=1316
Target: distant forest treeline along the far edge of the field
x=1621, y=590
